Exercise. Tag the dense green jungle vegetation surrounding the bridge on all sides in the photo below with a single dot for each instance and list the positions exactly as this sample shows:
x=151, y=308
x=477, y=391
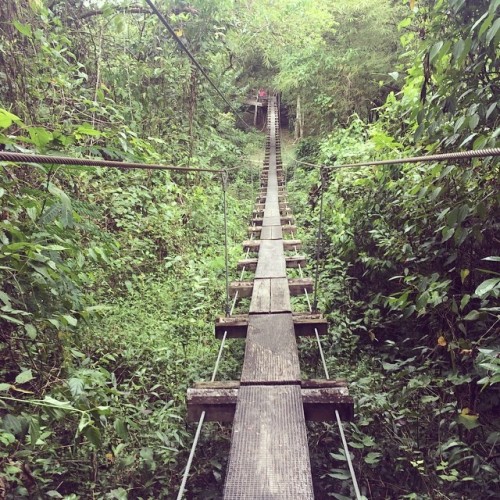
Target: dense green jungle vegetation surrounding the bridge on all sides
x=111, y=280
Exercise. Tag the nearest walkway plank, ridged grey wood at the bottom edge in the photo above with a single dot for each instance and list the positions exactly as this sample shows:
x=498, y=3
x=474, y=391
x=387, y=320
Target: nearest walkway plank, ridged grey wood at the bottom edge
x=269, y=457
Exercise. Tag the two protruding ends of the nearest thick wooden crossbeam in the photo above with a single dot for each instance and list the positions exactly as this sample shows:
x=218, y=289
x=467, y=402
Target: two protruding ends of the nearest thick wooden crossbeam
x=218, y=400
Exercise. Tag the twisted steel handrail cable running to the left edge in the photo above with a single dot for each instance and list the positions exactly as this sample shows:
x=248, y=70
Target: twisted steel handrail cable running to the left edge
x=66, y=160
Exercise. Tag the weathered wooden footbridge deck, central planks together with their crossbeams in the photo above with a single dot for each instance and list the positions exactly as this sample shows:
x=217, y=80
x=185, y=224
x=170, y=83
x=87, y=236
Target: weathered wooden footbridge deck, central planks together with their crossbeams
x=269, y=405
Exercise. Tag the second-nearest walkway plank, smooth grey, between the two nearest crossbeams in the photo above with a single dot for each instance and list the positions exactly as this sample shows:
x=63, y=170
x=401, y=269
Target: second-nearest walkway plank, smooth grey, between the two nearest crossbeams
x=271, y=355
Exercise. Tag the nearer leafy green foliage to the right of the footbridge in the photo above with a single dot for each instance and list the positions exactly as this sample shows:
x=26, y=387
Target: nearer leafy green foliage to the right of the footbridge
x=409, y=277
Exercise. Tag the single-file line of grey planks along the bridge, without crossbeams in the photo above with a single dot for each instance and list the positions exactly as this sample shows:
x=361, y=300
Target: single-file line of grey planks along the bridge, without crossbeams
x=269, y=456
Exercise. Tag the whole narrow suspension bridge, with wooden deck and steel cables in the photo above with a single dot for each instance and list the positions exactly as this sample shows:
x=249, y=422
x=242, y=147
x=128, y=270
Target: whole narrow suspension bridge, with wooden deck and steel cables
x=270, y=404
